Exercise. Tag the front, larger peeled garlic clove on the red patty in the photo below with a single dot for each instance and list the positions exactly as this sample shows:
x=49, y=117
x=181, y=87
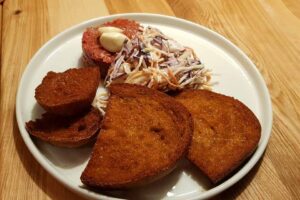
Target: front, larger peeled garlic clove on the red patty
x=112, y=41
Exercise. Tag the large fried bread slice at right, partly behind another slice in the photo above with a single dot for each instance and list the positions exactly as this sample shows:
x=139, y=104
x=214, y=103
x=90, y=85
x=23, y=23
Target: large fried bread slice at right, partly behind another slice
x=226, y=132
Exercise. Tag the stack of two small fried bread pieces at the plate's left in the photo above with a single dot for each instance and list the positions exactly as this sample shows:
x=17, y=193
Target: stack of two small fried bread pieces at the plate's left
x=70, y=120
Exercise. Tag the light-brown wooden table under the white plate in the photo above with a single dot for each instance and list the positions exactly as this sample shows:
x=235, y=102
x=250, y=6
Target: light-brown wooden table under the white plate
x=268, y=31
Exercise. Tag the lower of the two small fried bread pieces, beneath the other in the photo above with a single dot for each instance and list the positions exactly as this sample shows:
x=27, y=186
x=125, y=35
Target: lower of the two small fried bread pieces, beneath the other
x=66, y=131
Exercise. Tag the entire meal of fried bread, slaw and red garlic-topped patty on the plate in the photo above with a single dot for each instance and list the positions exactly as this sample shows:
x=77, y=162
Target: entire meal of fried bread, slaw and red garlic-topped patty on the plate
x=145, y=130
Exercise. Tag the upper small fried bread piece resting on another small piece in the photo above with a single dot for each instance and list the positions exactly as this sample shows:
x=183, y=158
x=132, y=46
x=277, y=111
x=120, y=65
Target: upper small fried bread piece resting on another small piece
x=70, y=92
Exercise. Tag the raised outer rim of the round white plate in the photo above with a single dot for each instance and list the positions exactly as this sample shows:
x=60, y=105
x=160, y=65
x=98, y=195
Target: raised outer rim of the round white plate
x=207, y=194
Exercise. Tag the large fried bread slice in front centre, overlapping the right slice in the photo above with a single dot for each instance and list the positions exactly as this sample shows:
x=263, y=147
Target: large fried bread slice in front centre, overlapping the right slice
x=143, y=135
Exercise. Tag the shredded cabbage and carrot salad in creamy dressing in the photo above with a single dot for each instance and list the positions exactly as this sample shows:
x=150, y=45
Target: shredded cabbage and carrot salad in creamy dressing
x=157, y=61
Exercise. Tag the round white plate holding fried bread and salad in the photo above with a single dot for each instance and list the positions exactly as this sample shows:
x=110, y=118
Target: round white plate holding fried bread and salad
x=236, y=75
